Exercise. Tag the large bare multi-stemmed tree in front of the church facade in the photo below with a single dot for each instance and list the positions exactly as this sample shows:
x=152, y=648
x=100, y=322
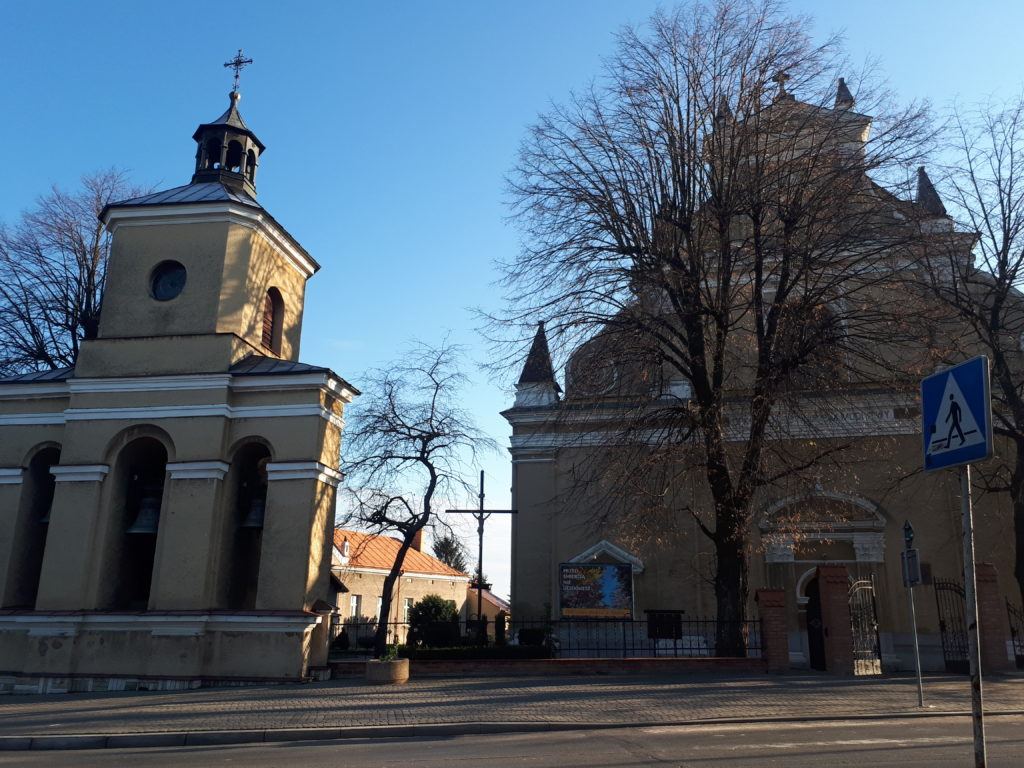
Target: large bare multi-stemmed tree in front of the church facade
x=712, y=215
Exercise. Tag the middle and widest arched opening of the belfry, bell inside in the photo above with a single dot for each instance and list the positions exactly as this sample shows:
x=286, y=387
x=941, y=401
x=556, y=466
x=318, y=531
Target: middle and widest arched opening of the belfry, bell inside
x=140, y=478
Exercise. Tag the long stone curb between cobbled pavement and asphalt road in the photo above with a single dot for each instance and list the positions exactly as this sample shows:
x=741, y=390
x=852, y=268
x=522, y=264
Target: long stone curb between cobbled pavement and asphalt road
x=437, y=731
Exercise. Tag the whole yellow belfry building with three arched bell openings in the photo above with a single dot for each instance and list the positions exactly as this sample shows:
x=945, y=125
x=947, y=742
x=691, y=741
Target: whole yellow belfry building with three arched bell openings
x=166, y=506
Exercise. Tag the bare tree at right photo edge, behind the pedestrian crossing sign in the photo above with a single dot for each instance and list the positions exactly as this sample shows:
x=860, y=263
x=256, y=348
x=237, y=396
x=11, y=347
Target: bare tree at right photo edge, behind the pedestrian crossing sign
x=977, y=272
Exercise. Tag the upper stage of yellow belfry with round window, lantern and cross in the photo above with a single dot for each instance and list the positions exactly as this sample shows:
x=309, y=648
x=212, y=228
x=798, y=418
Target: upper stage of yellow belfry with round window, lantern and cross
x=201, y=276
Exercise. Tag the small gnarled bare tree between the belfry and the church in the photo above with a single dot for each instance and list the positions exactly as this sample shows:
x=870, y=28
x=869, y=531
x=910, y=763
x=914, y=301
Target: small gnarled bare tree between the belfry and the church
x=408, y=448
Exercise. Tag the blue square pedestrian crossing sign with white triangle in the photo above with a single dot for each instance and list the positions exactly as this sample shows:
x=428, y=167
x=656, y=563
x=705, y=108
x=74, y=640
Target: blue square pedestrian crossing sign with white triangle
x=957, y=415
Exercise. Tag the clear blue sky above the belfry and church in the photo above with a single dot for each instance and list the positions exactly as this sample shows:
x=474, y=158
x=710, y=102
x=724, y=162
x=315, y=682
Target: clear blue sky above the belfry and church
x=390, y=129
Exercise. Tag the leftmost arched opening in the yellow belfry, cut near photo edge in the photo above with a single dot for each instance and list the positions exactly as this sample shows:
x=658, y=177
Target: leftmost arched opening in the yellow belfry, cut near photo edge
x=38, y=487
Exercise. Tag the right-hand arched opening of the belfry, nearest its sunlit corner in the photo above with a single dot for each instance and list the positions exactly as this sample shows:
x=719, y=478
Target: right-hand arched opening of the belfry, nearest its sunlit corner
x=246, y=528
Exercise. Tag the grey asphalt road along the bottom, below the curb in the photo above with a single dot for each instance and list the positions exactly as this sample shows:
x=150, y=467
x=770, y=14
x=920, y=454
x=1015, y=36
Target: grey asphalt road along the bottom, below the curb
x=927, y=742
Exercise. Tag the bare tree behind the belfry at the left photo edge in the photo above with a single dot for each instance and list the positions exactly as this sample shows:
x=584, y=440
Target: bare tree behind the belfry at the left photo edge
x=53, y=267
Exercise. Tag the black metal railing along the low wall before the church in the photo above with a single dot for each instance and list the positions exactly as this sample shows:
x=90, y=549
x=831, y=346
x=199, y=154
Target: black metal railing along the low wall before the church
x=669, y=635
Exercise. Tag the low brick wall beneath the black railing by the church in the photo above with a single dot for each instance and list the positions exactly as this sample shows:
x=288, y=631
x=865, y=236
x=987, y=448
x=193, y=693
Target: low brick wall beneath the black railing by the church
x=563, y=667
